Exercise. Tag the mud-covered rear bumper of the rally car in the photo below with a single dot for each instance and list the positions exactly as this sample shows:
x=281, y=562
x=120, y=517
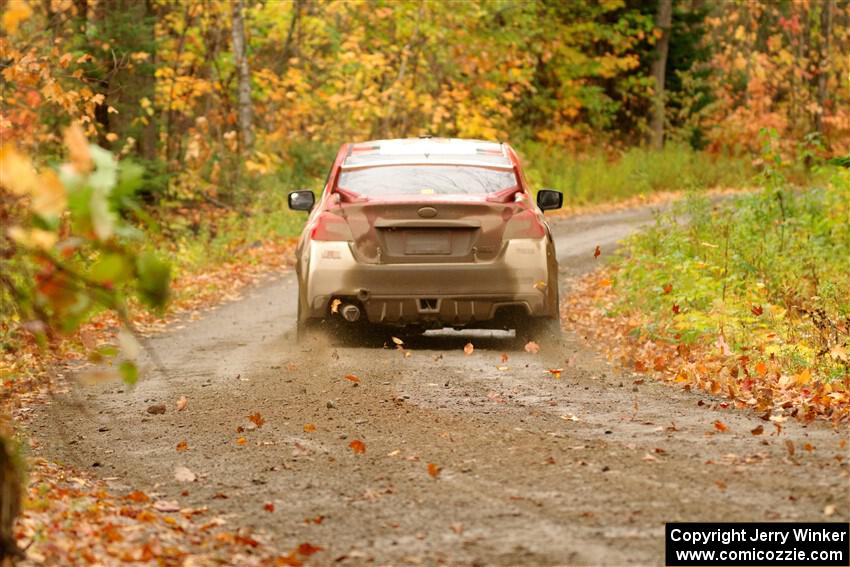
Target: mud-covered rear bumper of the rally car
x=522, y=278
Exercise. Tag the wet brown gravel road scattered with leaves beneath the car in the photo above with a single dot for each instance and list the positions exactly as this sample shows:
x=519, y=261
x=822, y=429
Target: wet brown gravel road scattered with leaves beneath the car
x=533, y=470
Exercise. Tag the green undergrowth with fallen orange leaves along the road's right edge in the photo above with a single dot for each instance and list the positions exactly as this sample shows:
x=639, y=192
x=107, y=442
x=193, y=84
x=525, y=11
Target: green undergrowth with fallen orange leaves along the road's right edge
x=748, y=298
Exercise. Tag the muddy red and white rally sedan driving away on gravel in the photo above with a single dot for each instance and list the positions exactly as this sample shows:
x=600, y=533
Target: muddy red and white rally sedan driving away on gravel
x=427, y=233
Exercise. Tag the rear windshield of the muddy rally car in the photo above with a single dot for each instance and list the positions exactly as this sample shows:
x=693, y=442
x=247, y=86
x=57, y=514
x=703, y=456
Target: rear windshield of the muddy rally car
x=426, y=180
